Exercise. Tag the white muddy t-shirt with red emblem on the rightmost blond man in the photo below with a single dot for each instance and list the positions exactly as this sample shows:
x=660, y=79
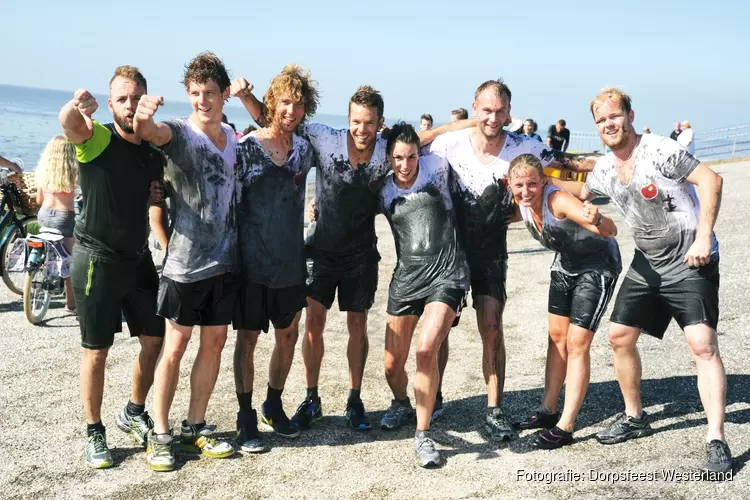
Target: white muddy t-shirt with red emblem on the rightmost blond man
x=659, y=205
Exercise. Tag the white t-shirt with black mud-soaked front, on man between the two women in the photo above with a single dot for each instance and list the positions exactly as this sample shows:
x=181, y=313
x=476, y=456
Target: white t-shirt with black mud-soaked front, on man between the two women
x=480, y=194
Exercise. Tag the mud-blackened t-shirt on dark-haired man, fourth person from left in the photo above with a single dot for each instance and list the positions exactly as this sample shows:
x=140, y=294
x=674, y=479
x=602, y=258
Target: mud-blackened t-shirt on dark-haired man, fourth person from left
x=346, y=195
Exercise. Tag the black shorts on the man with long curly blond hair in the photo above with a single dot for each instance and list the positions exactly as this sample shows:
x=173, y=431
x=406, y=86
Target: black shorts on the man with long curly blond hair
x=258, y=305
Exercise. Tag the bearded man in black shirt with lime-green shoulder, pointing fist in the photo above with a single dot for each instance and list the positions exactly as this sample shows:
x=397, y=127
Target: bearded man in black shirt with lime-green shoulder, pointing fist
x=112, y=268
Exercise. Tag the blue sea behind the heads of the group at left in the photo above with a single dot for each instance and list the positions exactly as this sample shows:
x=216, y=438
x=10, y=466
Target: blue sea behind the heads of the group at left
x=28, y=119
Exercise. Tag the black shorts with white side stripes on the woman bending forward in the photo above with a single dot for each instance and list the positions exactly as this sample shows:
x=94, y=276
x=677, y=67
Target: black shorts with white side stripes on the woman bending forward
x=582, y=298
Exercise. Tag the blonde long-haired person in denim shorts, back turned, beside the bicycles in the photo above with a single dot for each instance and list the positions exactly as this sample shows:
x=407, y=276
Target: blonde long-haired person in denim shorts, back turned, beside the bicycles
x=56, y=180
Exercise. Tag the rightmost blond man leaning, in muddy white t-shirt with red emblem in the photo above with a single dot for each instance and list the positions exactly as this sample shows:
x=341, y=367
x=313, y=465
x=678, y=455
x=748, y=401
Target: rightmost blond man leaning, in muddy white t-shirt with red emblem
x=671, y=202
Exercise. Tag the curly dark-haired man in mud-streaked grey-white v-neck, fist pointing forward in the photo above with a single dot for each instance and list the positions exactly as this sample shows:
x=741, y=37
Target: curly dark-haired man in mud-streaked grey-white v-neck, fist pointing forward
x=199, y=282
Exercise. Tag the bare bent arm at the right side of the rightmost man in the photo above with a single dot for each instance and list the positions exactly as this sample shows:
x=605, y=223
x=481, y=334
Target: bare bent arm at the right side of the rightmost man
x=709, y=185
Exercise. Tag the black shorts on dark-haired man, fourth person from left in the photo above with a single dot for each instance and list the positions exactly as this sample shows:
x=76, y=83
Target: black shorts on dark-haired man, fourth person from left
x=355, y=277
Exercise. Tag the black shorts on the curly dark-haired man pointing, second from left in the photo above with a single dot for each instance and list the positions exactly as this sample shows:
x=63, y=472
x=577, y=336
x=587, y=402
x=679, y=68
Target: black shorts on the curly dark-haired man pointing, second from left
x=208, y=302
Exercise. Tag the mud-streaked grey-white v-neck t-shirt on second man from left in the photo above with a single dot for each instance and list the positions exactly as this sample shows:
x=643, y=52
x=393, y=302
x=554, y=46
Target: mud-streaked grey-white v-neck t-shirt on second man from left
x=203, y=243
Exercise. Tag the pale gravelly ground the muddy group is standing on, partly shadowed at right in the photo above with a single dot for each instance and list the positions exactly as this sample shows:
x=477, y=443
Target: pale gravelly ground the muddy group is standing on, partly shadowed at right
x=42, y=420
